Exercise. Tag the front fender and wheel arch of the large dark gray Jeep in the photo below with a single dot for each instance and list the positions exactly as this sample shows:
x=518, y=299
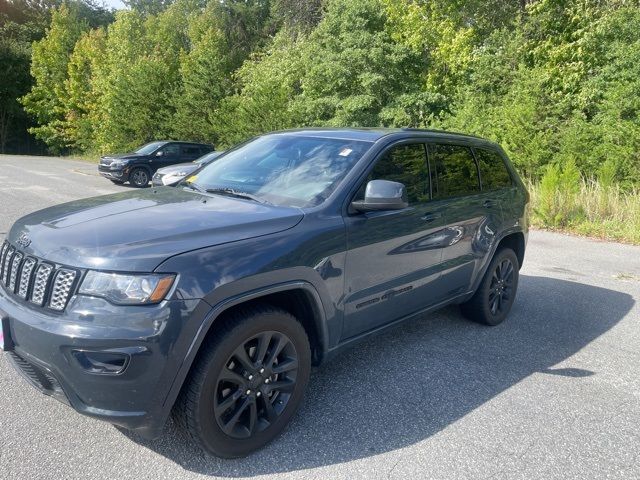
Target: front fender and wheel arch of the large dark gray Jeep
x=305, y=257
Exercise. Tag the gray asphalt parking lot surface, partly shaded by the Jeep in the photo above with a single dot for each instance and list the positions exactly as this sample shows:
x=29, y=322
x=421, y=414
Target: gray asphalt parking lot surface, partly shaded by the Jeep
x=554, y=392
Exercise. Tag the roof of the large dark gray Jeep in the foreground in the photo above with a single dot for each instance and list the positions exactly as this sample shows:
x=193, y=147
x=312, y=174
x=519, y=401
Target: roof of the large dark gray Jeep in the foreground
x=374, y=133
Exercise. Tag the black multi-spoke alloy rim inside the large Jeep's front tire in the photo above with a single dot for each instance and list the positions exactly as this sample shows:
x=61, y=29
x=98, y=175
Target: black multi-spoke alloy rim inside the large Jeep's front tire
x=255, y=386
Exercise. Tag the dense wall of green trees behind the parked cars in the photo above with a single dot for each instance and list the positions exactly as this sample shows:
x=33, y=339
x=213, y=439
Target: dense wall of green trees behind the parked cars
x=556, y=82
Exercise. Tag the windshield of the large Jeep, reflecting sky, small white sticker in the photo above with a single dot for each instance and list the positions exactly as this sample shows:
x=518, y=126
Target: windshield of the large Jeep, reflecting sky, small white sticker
x=283, y=169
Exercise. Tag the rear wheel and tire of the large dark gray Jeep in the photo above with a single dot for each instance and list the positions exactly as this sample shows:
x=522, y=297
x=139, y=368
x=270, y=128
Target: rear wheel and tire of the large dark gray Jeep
x=494, y=297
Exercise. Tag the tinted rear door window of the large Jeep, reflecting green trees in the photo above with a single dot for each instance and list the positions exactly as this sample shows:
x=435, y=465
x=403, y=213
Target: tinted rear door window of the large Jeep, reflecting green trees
x=455, y=171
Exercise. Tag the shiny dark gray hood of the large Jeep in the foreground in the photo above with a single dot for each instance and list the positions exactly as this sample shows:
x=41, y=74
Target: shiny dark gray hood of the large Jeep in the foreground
x=136, y=231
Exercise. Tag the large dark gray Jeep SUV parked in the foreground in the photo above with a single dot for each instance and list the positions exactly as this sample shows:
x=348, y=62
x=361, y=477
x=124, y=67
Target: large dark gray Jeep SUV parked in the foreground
x=275, y=257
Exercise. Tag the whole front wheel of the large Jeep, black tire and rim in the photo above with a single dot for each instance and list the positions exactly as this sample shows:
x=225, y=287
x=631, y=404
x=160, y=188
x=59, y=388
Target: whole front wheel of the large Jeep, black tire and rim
x=246, y=383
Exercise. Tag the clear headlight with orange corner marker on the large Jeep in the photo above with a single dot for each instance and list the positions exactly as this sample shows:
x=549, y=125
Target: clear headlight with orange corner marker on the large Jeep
x=127, y=289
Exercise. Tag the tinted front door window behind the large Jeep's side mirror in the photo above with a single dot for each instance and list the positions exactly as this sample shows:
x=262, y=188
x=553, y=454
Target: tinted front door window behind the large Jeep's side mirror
x=406, y=164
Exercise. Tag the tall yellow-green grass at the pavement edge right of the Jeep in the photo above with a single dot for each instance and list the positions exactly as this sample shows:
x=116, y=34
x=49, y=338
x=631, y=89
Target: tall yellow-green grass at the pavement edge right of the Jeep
x=601, y=209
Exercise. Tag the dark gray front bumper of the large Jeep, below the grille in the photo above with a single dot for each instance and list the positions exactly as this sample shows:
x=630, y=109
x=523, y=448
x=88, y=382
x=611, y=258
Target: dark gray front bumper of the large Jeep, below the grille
x=153, y=340
